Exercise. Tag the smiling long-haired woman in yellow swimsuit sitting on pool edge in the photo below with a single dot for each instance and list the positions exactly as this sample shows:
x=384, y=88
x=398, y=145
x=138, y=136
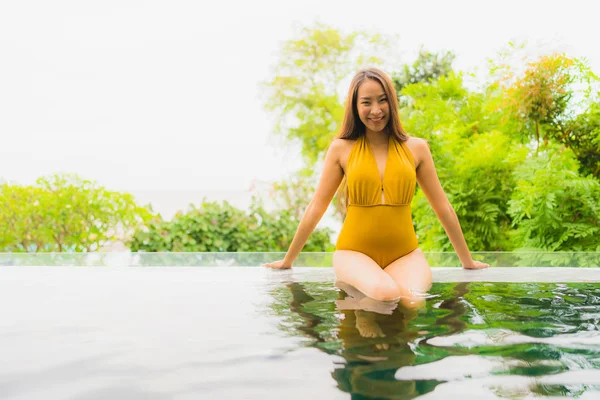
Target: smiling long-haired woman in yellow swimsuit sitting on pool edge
x=377, y=250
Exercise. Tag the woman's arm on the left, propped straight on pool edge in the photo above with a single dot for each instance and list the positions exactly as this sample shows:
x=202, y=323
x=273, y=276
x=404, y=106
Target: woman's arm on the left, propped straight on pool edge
x=328, y=184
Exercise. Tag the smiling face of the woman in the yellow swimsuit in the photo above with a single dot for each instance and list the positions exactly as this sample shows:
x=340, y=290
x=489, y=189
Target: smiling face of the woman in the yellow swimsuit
x=372, y=104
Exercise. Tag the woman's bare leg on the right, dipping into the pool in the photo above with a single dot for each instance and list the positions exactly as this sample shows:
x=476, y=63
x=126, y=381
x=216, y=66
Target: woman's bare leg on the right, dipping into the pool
x=412, y=275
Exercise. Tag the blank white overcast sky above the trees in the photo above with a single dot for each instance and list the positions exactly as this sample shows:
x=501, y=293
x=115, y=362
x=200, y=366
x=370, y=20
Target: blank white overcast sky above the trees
x=162, y=99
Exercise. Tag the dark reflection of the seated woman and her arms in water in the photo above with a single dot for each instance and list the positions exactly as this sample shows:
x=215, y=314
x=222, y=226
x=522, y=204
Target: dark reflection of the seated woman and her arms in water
x=373, y=338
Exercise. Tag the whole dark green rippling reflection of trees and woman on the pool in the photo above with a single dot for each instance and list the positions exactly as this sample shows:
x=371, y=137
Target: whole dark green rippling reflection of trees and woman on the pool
x=494, y=339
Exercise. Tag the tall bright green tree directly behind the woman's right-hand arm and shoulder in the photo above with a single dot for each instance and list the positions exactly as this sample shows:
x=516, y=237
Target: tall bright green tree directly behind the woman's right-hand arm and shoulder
x=474, y=160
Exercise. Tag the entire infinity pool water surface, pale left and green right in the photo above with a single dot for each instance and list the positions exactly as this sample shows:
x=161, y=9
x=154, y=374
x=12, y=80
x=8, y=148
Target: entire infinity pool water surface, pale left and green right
x=250, y=332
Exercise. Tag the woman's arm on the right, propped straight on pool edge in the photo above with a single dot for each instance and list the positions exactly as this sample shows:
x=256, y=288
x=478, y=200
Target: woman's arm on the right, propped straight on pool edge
x=431, y=187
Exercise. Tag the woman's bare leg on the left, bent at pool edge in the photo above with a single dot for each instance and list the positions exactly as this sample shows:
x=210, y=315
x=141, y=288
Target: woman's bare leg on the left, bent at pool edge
x=359, y=270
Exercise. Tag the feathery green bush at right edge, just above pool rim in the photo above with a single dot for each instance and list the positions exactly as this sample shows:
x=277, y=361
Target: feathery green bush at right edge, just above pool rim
x=554, y=208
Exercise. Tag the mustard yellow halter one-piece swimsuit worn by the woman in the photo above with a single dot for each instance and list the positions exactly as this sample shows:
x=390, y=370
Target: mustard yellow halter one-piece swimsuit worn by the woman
x=378, y=221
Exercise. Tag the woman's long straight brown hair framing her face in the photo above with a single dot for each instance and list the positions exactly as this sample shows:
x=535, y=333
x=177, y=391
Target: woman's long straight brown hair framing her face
x=353, y=128
